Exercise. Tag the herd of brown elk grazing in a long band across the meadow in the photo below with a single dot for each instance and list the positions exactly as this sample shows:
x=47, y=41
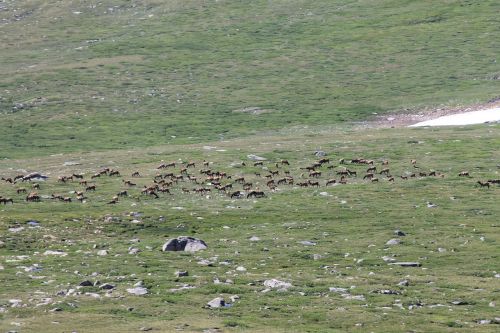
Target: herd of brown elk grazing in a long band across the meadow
x=184, y=178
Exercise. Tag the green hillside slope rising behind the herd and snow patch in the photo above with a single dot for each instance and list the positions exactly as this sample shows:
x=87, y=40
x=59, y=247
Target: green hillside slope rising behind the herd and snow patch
x=82, y=76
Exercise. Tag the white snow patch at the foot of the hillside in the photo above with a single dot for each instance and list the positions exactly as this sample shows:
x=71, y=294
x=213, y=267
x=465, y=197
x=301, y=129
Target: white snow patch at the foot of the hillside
x=467, y=118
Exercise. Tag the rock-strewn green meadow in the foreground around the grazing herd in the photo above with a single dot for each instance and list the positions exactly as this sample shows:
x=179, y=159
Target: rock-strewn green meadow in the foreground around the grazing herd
x=350, y=228
